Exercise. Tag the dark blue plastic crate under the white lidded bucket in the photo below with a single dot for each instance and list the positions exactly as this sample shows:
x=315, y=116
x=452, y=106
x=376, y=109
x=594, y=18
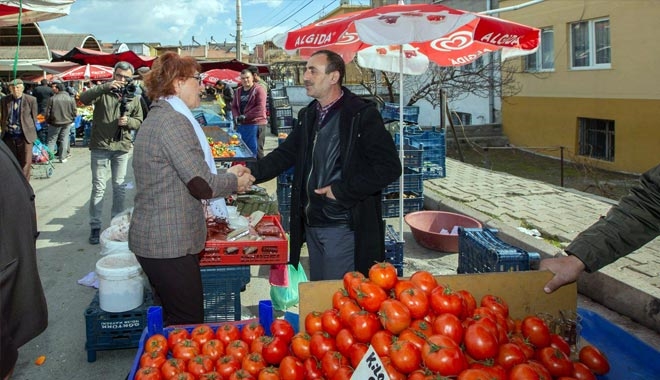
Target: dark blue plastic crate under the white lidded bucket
x=109, y=331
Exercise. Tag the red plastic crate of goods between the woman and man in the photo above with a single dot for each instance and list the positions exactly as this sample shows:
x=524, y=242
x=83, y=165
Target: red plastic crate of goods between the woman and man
x=221, y=252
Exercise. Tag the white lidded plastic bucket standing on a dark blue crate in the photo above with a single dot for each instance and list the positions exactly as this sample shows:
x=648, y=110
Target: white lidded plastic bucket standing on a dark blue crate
x=121, y=286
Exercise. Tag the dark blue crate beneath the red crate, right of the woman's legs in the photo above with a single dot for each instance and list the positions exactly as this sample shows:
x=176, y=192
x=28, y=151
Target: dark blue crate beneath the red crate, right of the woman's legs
x=222, y=291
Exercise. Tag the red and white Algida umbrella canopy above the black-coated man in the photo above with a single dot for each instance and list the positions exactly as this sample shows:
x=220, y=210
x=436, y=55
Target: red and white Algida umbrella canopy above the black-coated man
x=447, y=36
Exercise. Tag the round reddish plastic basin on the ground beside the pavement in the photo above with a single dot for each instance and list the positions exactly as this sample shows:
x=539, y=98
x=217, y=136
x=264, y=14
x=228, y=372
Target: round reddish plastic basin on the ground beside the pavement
x=426, y=227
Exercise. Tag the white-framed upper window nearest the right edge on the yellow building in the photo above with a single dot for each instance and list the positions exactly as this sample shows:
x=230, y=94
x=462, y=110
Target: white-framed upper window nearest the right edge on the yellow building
x=590, y=44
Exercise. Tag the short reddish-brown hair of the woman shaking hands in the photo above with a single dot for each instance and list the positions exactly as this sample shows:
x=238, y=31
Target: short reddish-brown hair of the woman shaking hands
x=165, y=70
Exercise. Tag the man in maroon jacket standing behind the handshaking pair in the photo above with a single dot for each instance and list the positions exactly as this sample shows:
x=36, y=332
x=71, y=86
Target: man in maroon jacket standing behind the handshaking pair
x=249, y=110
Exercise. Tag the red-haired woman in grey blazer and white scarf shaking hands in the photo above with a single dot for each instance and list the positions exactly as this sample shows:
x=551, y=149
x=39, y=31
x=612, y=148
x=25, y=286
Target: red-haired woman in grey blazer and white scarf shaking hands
x=174, y=172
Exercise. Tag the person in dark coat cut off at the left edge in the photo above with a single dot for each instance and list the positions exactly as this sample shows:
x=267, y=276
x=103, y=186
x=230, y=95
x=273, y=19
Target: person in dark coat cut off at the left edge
x=23, y=308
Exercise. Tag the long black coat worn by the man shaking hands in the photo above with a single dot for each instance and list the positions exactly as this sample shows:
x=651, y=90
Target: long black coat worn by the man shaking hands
x=369, y=163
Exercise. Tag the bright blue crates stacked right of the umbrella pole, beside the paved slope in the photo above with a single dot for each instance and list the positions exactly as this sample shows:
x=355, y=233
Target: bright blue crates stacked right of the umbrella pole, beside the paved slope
x=432, y=143
